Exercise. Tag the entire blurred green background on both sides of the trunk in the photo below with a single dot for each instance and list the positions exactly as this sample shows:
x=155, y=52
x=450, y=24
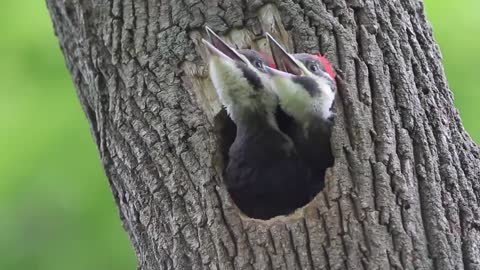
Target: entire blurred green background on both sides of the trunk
x=56, y=210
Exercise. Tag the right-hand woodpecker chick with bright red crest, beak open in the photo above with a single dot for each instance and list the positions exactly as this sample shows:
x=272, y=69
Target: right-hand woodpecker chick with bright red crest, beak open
x=305, y=85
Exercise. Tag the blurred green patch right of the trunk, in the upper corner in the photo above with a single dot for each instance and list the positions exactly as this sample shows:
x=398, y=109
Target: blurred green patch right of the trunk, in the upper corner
x=456, y=27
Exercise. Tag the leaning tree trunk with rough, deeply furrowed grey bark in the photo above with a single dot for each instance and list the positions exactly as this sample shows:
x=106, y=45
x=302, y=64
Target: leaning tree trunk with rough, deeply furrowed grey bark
x=404, y=191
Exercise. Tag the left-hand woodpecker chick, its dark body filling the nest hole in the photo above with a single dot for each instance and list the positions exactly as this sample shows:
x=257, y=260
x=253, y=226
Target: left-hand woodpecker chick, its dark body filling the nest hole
x=264, y=174
